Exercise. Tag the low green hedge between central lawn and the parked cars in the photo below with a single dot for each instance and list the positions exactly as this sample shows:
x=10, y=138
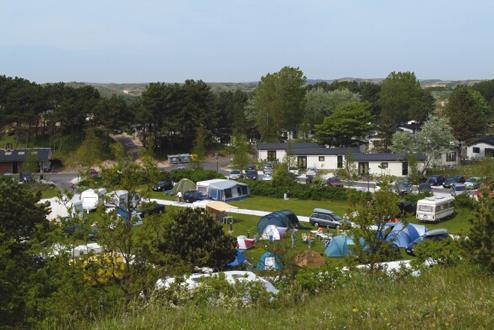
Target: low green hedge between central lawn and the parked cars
x=300, y=191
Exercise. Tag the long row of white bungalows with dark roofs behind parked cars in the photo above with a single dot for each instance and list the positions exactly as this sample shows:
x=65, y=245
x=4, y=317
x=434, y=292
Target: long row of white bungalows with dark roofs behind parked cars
x=312, y=155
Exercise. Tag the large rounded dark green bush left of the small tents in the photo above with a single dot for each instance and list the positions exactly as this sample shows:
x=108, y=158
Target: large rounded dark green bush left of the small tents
x=195, y=237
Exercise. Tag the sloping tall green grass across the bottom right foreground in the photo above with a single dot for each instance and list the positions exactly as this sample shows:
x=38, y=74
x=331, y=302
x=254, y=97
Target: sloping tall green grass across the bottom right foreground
x=459, y=297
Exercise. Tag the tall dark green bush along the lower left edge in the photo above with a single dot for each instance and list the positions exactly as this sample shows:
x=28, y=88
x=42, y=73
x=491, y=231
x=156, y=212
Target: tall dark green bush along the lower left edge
x=22, y=227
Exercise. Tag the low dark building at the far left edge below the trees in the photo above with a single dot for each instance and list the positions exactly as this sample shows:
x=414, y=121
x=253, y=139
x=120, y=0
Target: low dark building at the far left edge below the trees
x=11, y=160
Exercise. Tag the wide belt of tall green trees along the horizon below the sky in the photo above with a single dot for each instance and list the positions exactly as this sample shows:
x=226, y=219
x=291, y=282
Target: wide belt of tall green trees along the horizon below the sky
x=167, y=117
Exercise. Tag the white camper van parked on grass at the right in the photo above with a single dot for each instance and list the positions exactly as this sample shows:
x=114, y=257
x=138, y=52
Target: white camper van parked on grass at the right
x=435, y=208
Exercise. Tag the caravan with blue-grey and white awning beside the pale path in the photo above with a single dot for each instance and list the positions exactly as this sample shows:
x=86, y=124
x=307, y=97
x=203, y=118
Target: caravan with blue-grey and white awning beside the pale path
x=223, y=189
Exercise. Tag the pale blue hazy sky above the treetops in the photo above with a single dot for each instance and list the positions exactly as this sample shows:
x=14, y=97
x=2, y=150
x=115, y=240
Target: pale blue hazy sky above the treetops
x=241, y=40
